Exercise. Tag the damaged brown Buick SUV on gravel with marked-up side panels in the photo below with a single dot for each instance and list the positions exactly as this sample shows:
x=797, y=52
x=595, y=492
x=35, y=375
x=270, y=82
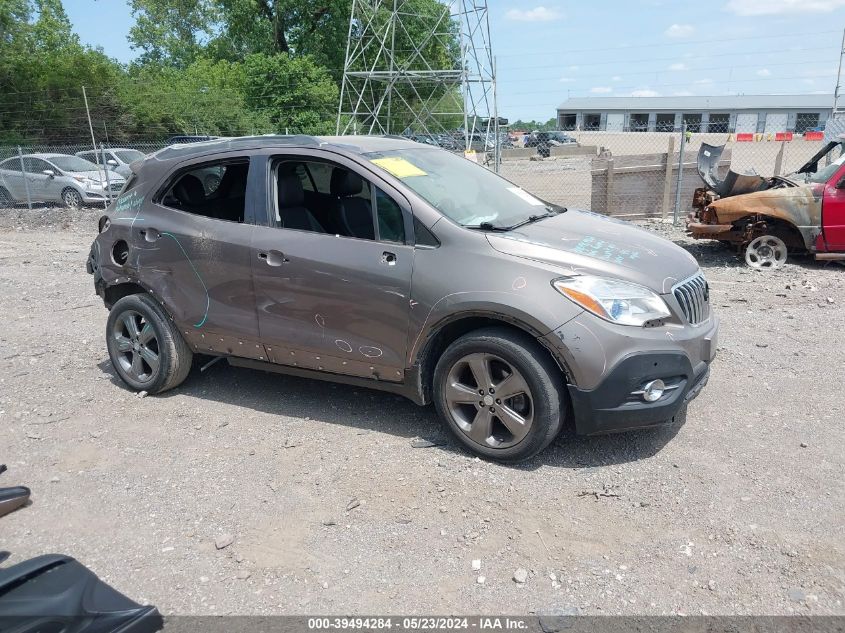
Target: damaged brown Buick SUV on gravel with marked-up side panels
x=380, y=262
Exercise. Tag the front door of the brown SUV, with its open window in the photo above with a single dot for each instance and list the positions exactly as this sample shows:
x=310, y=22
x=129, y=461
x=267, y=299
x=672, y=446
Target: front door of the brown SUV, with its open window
x=332, y=270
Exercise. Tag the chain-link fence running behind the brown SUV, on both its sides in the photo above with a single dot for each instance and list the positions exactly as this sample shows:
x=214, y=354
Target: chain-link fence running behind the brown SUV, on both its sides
x=631, y=175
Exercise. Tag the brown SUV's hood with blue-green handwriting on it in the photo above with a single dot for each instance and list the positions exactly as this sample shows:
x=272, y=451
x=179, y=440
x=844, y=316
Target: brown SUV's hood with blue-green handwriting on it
x=582, y=242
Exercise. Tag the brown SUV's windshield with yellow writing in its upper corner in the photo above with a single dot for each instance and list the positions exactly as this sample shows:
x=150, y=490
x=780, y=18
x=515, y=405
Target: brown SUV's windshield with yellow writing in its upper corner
x=463, y=191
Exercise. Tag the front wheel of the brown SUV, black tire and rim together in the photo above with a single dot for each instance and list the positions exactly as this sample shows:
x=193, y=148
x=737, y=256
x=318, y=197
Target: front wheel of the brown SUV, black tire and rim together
x=508, y=357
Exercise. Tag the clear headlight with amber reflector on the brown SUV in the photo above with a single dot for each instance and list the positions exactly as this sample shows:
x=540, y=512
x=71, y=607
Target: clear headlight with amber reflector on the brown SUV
x=613, y=300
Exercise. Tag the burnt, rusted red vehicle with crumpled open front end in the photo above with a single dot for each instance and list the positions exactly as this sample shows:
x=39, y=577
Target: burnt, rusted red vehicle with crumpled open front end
x=767, y=218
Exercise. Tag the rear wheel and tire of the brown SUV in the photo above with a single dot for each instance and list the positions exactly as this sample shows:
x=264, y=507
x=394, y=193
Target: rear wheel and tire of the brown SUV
x=153, y=360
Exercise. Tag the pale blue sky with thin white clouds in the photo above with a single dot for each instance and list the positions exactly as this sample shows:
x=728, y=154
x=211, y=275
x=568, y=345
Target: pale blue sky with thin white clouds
x=548, y=50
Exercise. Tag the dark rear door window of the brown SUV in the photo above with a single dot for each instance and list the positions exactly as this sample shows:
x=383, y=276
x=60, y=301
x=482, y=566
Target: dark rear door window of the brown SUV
x=212, y=190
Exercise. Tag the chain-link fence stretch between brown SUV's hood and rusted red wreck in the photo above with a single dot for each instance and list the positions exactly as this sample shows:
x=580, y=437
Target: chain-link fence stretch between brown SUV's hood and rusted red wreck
x=635, y=175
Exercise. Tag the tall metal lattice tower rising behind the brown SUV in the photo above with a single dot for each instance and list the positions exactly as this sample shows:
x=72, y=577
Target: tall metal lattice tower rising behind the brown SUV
x=422, y=67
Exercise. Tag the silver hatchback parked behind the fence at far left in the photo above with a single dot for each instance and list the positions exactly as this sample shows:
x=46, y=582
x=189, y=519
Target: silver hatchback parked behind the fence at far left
x=70, y=180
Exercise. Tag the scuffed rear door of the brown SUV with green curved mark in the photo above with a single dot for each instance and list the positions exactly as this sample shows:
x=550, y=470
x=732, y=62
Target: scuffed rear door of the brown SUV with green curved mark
x=194, y=252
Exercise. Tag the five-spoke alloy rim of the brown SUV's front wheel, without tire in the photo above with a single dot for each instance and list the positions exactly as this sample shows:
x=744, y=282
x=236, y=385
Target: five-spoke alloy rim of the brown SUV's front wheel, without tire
x=489, y=400
